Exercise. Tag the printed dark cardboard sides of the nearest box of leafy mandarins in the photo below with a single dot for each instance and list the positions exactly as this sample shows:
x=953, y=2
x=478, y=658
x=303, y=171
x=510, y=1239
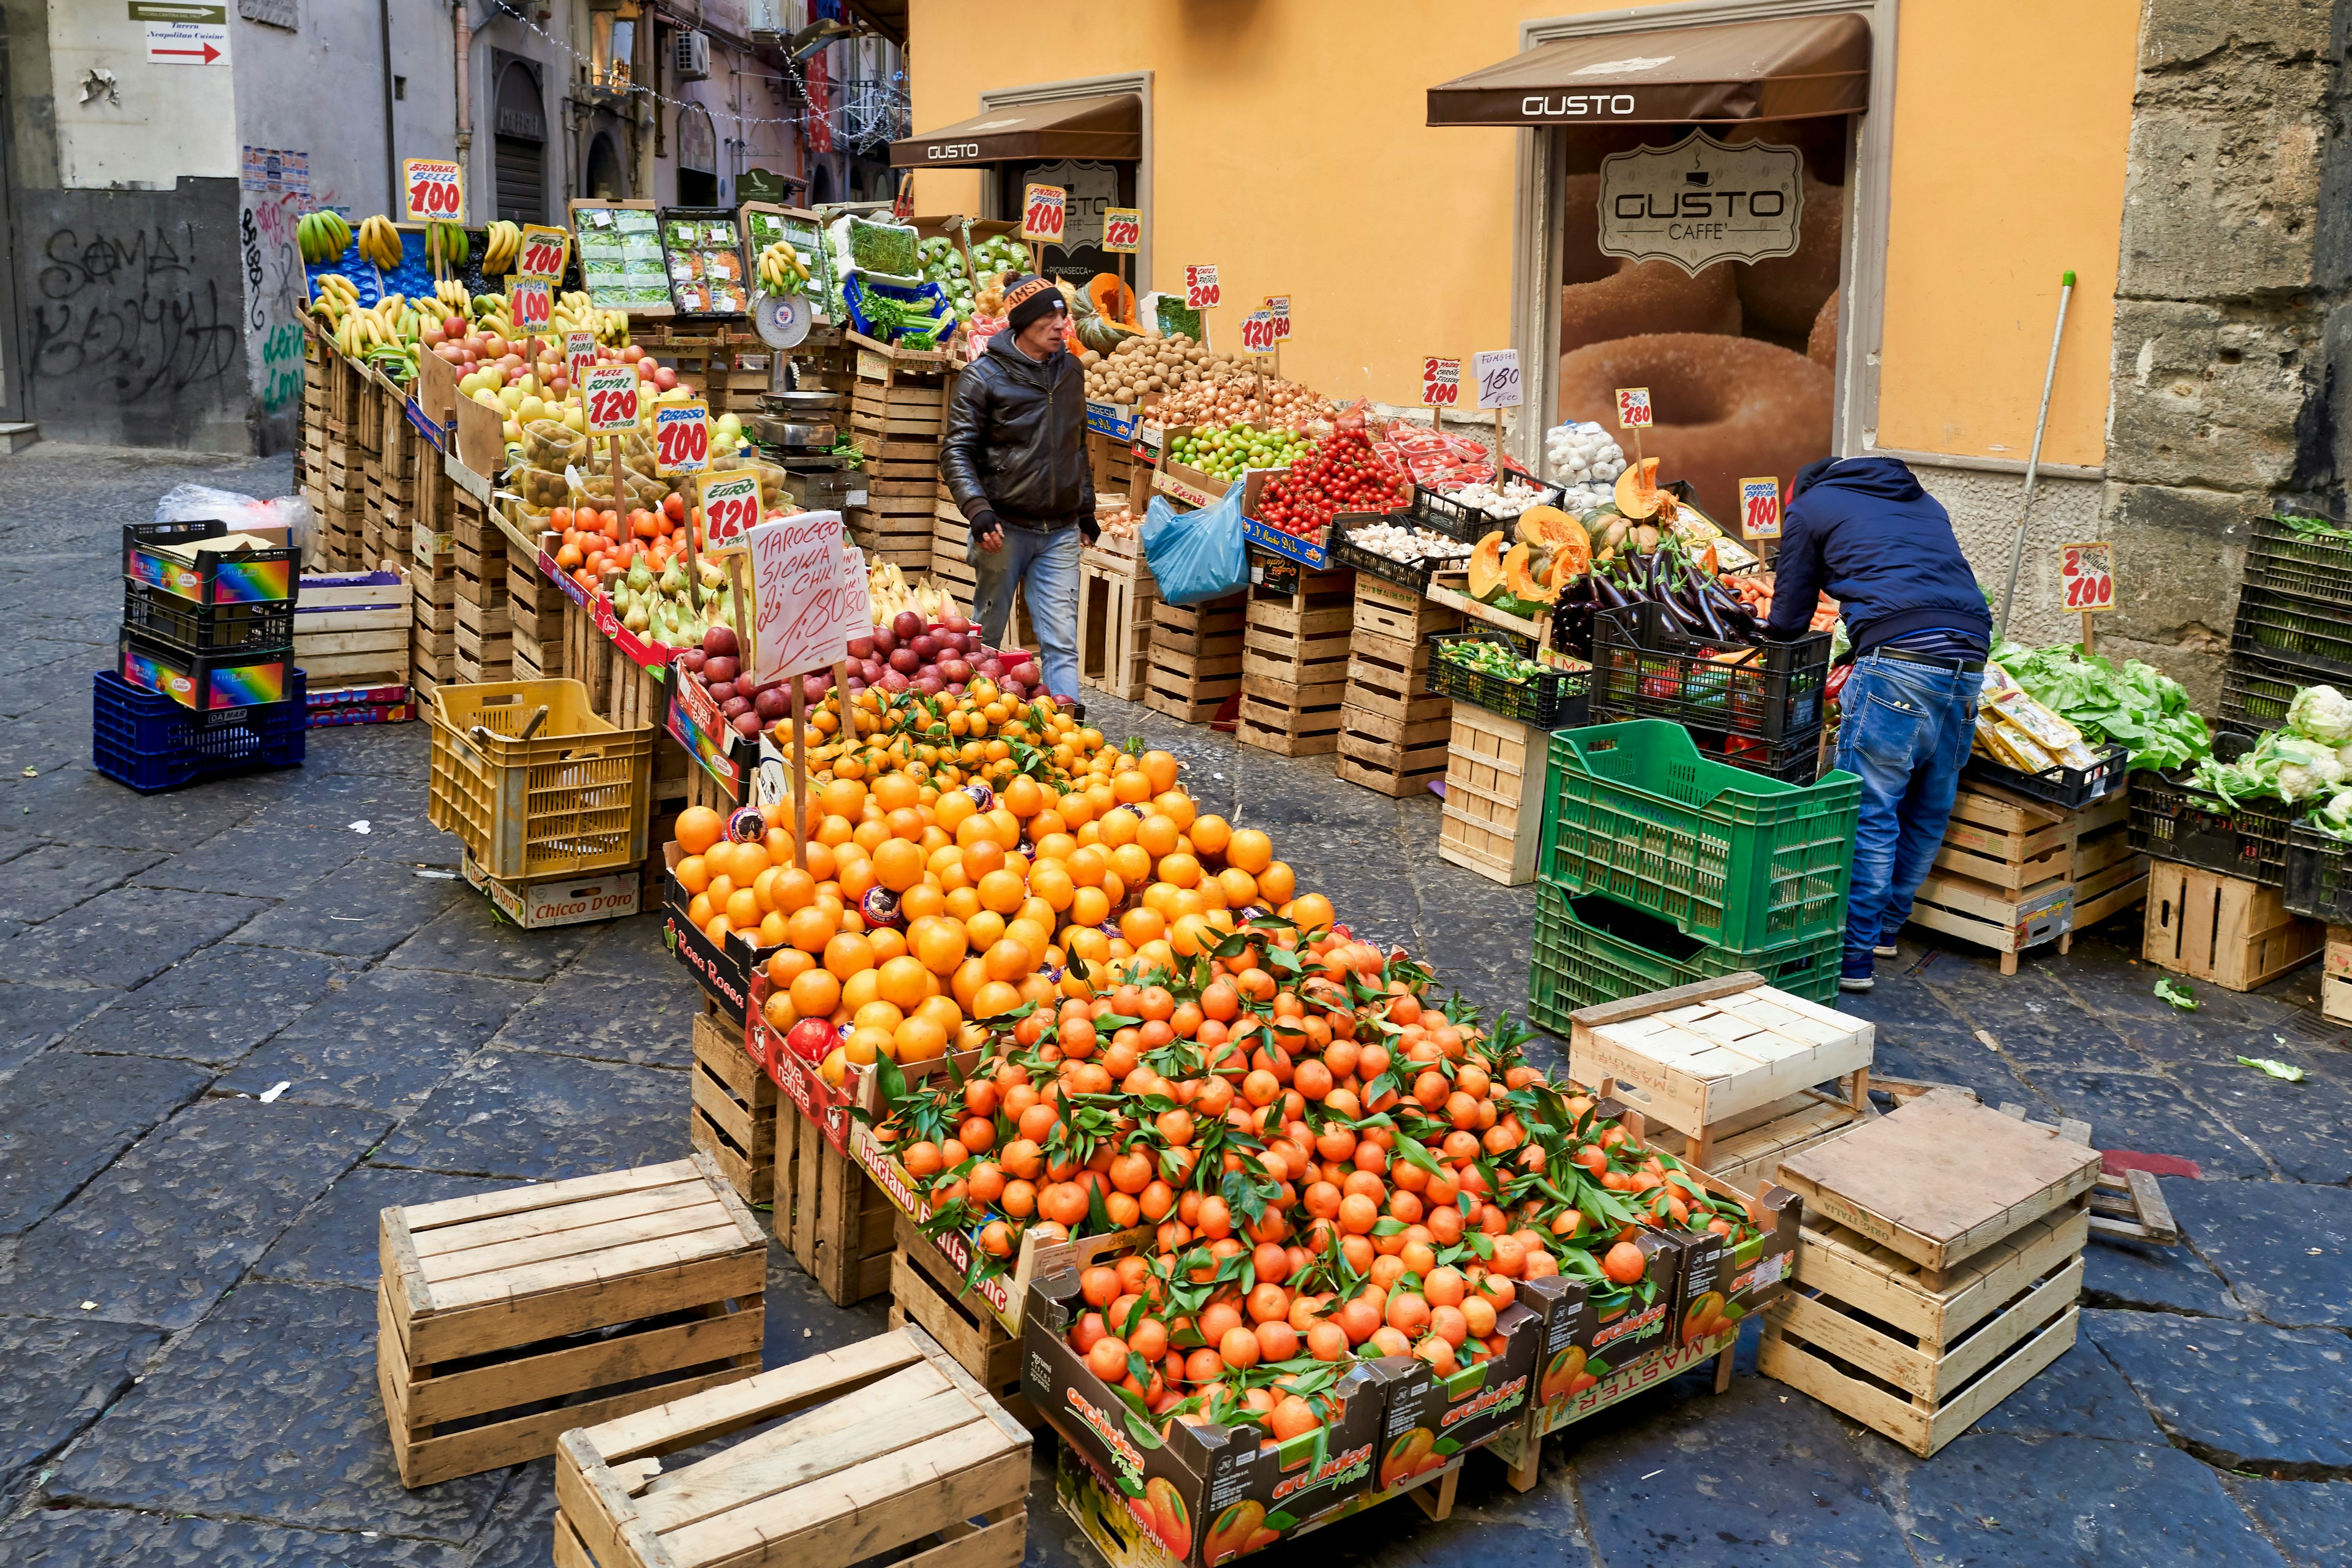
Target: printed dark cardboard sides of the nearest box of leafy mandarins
x=1208, y=1494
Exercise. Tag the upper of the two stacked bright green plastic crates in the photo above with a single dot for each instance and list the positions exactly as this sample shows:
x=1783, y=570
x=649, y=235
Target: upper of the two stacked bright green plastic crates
x=1730, y=857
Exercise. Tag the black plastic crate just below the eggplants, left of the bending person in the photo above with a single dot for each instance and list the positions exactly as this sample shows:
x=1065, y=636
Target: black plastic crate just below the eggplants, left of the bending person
x=1650, y=669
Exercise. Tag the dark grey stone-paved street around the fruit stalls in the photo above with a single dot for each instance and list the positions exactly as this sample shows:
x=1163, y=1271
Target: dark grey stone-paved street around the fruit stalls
x=239, y=1021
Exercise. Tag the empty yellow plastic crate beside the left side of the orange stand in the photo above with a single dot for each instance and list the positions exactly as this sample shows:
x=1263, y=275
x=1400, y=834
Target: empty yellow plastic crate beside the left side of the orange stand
x=573, y=798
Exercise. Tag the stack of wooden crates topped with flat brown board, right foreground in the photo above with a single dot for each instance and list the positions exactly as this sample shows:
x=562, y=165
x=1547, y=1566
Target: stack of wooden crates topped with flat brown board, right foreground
x=1937, y=1271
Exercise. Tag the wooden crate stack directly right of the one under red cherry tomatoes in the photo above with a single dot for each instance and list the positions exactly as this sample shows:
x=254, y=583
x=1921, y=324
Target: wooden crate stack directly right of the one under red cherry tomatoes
x=1394, y=732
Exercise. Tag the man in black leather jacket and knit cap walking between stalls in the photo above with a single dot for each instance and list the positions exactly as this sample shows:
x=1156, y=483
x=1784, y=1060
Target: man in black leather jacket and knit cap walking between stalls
x=1017, y=467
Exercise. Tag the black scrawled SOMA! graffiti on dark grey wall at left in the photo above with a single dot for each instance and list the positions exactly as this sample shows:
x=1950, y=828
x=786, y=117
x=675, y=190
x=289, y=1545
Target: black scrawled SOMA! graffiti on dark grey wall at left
x=128, y=311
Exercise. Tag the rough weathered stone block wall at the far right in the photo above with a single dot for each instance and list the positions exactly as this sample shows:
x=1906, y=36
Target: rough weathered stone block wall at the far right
x=2231, y=316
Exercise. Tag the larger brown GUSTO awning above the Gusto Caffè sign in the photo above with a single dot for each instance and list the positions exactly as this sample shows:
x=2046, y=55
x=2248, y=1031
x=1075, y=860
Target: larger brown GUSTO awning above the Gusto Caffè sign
x=1791, y=69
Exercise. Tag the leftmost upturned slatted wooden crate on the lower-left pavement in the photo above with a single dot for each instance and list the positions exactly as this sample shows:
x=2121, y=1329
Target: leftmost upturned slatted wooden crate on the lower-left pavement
x=509, y=1318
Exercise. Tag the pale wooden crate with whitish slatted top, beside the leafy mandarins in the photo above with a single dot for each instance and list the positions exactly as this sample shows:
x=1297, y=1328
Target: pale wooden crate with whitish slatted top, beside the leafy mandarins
x=1706, y=1059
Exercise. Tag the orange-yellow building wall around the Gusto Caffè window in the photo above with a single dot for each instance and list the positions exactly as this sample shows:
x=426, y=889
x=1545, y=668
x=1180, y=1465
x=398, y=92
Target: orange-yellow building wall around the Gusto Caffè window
x=1290, y=149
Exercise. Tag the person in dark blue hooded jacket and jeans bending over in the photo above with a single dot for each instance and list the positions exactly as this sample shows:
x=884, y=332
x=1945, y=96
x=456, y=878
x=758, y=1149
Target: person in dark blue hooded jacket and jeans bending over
x=1864, y=532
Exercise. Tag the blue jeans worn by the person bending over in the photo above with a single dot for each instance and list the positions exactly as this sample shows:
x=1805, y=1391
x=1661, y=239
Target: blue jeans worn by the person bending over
x=1906, y=735
